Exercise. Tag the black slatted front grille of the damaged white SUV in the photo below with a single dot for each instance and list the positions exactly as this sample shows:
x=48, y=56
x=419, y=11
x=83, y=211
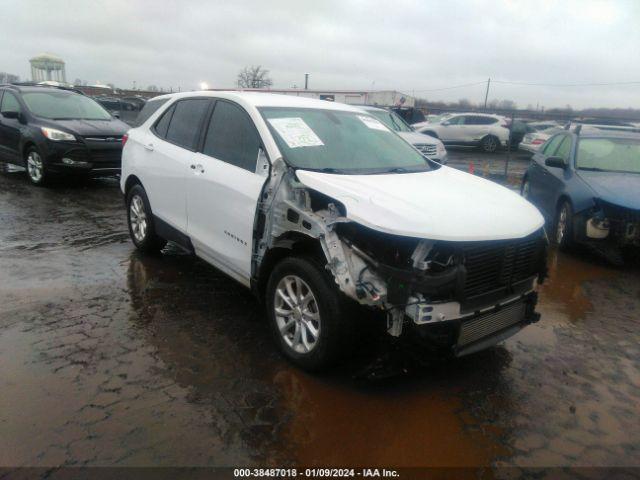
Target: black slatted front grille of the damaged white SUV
x=499, y=264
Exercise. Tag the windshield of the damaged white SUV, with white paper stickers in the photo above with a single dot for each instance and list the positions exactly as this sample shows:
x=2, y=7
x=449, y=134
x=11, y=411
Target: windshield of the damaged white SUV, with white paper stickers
x=340, y=142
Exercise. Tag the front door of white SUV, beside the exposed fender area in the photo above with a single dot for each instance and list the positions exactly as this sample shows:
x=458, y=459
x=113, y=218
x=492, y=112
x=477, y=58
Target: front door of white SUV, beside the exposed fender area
x=223, y=190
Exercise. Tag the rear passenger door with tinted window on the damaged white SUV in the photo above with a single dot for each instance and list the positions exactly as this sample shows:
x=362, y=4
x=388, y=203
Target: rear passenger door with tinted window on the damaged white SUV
x=169, y=150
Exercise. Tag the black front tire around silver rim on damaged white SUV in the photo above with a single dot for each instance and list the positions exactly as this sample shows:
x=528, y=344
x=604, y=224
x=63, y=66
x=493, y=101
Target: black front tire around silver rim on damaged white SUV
x=335, y=326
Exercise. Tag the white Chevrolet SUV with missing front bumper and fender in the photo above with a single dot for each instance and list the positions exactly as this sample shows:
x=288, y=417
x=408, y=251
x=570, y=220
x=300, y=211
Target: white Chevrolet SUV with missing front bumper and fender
x=323, y=211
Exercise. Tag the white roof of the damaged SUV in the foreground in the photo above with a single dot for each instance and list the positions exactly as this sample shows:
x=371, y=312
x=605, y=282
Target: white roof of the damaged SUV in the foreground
x=260, y=99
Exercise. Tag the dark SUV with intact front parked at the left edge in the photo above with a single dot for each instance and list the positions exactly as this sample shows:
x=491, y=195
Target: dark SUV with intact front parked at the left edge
x=58, y=131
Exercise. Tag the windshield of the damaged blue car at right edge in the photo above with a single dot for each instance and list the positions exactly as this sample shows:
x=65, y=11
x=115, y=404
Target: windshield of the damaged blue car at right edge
x=609, y=154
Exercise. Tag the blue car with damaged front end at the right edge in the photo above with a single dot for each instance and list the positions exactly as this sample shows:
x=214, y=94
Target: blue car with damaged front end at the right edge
x=586, y=183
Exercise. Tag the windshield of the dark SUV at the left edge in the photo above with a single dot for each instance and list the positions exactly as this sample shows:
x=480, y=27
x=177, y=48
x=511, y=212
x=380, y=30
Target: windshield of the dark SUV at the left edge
x=64, y=106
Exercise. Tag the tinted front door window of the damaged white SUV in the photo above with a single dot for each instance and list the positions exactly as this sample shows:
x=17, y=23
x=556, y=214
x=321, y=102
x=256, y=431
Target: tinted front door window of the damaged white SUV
x=232, y=137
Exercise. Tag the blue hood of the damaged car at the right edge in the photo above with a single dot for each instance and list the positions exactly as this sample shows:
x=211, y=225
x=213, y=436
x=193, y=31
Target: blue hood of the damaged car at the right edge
x=621, y=189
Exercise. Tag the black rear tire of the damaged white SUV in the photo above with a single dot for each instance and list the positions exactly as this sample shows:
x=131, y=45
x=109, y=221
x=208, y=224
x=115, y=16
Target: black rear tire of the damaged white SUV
x=145, y=239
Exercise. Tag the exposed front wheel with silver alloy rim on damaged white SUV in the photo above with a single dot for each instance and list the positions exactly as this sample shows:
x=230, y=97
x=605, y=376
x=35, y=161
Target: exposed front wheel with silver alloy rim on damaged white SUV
x=307, y=315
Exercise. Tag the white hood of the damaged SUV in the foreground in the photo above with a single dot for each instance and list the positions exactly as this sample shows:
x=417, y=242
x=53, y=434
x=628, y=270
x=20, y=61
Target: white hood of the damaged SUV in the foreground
x=443, y=204
